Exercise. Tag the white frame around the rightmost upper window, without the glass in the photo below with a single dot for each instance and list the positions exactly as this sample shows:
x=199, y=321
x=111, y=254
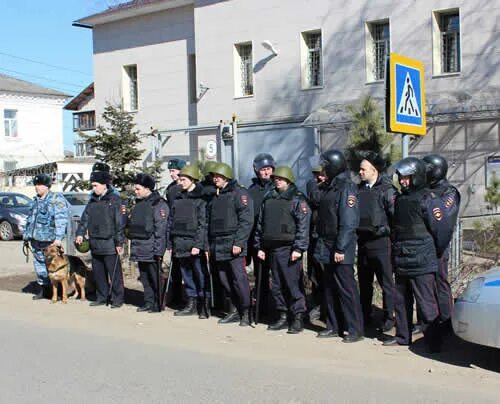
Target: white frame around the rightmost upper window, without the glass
x=437, y=42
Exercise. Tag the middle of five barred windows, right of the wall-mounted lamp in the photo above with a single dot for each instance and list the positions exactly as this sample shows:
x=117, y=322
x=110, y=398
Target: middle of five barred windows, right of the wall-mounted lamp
x=312, y=64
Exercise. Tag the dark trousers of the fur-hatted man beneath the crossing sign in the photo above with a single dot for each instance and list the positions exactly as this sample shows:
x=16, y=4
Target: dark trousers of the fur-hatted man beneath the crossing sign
x=375, y=263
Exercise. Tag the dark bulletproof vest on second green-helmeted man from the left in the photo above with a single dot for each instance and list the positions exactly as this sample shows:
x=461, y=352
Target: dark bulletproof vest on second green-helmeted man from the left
x=223, y=218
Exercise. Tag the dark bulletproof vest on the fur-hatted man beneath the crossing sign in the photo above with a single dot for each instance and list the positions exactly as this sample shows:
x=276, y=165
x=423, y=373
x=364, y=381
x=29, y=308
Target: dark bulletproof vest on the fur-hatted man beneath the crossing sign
x=371, y=210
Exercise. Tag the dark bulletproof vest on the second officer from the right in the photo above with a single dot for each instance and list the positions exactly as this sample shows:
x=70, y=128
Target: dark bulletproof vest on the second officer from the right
x=408, y=217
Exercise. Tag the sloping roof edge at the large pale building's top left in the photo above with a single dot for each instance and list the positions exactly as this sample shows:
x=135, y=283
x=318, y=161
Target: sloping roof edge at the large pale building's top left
x=129, y=9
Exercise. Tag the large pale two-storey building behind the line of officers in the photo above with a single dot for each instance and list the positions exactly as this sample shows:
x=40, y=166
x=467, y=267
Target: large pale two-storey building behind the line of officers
x=287, y=68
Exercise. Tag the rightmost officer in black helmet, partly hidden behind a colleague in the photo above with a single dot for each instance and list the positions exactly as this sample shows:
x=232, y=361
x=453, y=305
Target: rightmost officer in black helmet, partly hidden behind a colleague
x=448, y=199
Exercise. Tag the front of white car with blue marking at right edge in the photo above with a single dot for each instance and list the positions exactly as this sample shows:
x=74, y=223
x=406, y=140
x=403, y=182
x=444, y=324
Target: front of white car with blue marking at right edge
x=476, y=316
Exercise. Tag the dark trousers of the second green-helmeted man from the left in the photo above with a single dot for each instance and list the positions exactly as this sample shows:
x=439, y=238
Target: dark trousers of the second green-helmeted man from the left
x=234, y=279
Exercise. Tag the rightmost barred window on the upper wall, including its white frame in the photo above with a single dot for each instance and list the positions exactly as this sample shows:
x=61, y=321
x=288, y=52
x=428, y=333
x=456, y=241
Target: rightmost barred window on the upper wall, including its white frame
x=446, y=42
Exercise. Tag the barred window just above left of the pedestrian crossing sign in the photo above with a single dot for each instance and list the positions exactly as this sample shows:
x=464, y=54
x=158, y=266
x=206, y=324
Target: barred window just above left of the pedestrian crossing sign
x=378, y=47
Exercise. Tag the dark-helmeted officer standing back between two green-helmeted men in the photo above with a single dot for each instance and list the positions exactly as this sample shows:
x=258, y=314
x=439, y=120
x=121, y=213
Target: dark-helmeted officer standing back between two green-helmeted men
x=263, y=167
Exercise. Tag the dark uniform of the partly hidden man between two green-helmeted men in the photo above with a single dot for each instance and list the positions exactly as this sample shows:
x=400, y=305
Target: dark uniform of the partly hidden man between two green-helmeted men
x=257, y=191
